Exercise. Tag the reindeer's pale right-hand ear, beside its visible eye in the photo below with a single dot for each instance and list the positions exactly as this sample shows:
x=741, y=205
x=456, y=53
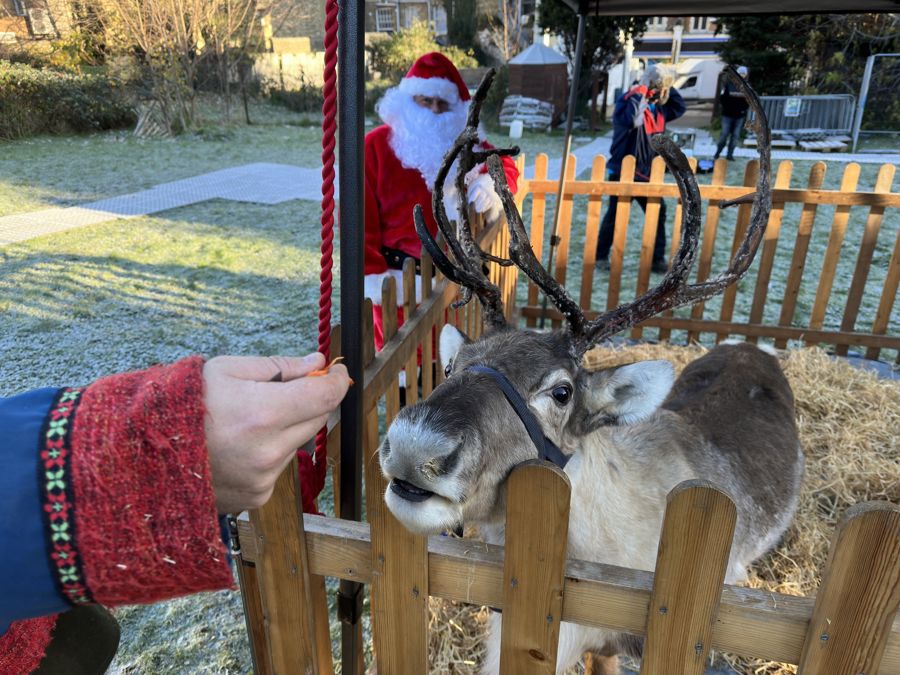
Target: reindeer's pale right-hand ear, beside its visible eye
x=628, y=394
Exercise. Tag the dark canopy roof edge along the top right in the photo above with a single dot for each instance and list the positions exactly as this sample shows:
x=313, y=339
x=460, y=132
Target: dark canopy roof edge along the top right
x=719, y=7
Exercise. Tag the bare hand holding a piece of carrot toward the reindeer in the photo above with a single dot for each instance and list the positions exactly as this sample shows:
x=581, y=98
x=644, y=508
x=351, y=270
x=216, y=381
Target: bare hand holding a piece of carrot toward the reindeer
x=254, y=425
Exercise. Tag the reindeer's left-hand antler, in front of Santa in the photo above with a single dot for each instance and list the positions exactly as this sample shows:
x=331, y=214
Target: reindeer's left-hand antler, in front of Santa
x=467, y=272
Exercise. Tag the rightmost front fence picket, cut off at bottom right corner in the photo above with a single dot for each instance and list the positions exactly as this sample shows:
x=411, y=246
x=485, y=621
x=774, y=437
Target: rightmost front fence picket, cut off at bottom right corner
x=859, y=595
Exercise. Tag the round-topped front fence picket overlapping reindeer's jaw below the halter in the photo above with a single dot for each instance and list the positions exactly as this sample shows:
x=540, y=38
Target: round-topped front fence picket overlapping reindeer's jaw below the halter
x=537, y=530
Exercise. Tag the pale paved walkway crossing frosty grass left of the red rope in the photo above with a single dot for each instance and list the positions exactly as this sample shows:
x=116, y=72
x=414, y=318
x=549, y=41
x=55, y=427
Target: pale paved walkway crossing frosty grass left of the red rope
x=259, y=183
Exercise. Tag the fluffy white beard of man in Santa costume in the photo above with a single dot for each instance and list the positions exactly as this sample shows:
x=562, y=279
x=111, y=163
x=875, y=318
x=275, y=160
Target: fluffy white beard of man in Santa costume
x=419, y=137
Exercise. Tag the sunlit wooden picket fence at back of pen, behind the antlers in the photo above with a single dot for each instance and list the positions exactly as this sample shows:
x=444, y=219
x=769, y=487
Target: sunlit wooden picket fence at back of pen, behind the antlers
x=862, y=330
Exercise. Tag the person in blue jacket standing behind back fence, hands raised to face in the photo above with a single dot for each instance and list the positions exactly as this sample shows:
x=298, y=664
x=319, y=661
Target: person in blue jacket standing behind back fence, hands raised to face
x=640, y=113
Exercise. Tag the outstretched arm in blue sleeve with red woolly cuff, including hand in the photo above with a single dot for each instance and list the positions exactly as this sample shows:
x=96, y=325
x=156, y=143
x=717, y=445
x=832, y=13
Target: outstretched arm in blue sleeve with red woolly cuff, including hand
x=112, y=493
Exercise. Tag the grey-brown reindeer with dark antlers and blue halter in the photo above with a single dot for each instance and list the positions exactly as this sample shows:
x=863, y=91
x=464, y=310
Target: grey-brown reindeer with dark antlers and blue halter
x=625, y=436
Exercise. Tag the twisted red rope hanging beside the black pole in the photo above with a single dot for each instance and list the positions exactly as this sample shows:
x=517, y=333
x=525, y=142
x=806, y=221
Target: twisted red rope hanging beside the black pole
x=312, y=472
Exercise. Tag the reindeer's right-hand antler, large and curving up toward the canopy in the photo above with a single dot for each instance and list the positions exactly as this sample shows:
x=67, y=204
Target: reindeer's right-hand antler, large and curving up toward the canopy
x=673, y=291
